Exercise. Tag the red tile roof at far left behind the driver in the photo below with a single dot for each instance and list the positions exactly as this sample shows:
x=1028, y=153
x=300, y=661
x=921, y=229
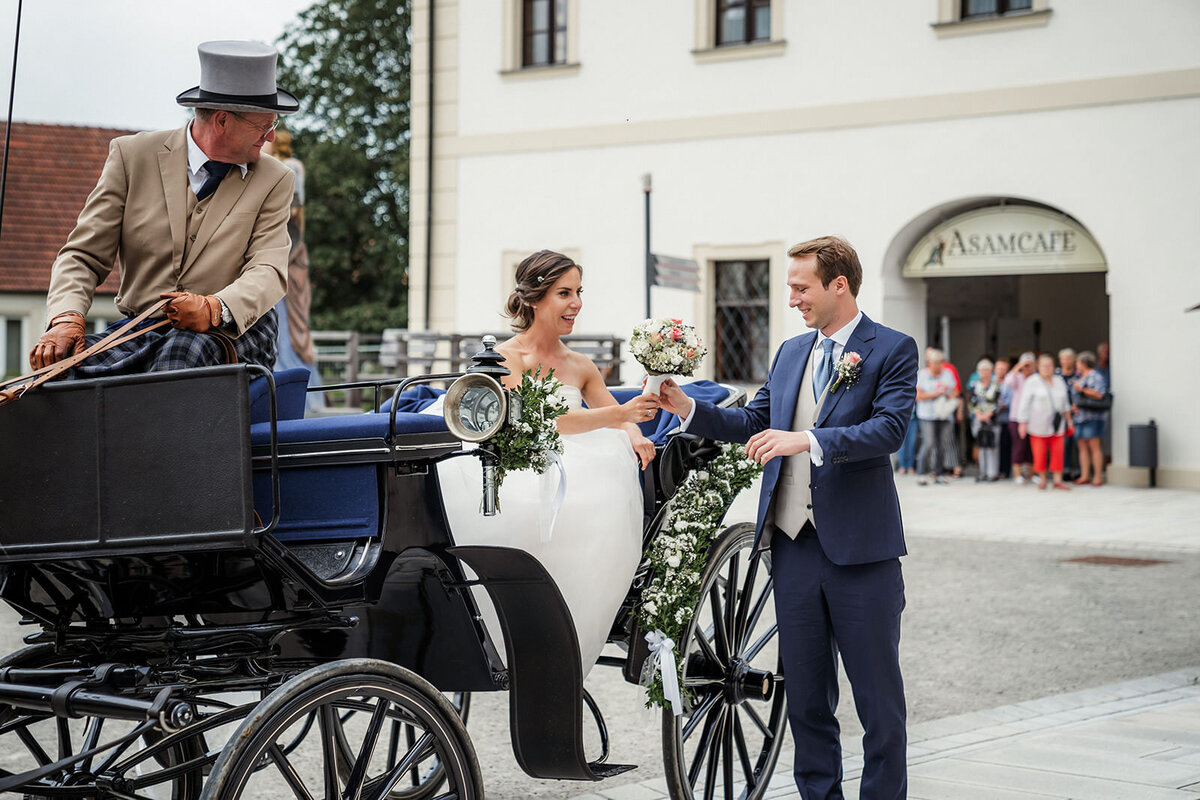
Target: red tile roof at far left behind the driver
x=52, y=170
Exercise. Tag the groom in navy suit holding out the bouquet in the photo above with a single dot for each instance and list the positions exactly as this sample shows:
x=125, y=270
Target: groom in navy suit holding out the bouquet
x=825, y=428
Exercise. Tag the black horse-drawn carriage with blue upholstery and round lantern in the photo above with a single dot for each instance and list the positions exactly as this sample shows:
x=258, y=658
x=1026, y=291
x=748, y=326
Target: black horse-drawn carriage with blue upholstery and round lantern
x=227, y=600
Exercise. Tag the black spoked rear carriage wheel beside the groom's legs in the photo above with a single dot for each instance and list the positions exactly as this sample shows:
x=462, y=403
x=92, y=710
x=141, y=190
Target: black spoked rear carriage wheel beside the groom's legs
x=728, y=743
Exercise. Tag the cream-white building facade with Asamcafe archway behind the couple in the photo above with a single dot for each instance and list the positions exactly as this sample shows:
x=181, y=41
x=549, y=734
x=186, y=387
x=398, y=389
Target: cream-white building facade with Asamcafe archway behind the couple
x=1016, y=175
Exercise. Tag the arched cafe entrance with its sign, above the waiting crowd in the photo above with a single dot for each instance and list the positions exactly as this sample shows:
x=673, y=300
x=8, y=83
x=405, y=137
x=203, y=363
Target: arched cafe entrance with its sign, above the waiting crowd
x=998, y=276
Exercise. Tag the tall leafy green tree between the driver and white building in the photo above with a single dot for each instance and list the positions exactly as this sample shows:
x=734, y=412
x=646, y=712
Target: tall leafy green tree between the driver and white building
x=350, y=64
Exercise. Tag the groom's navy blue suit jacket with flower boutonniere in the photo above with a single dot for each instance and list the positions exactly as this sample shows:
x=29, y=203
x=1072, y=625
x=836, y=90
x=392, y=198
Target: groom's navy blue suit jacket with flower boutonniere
x=855, y=504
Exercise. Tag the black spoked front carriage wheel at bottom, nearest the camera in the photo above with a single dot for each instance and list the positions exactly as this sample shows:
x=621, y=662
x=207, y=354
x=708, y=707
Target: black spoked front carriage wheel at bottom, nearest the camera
x=380, y=695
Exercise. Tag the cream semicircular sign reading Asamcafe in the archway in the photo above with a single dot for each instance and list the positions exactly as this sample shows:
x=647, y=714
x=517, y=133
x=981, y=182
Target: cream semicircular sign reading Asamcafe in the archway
x=1005, y=240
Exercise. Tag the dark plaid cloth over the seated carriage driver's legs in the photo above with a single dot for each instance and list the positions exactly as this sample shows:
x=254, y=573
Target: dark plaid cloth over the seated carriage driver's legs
x=170, y=348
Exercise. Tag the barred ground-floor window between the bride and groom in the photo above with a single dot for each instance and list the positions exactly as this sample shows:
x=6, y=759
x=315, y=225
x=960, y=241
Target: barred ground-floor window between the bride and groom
x=742, y=321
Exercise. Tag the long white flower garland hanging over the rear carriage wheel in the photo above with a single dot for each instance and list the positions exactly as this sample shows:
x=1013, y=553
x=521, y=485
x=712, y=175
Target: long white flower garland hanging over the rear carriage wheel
x=680, y=554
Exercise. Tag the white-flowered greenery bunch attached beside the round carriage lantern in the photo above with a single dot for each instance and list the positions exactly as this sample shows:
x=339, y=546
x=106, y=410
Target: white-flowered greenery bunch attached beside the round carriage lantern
x=529, y=442
